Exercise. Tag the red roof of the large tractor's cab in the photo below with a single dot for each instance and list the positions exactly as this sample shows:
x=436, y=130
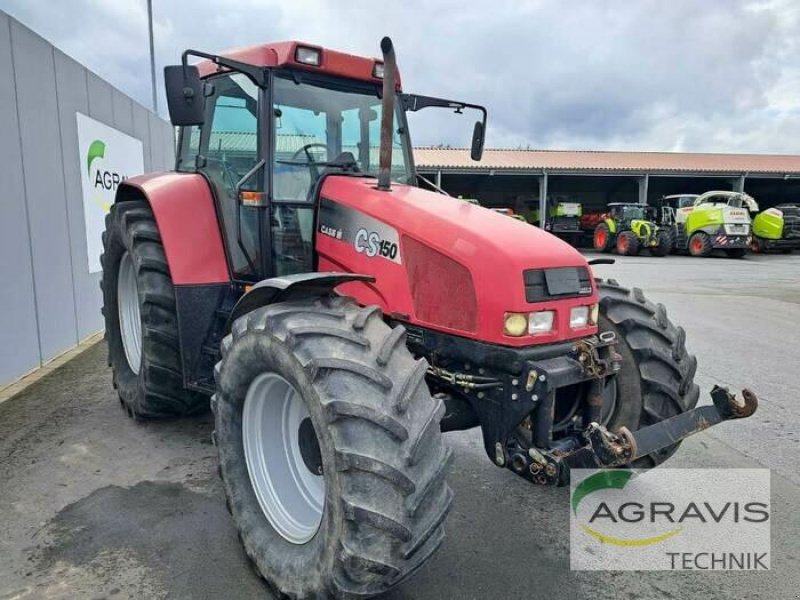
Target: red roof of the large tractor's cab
x=284, y=54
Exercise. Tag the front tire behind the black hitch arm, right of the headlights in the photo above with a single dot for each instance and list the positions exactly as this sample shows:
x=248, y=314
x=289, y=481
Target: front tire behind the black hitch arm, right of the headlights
x=656, y=380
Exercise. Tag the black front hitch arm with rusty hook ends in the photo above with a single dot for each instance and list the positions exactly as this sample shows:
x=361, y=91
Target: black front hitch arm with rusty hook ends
x=607, y=449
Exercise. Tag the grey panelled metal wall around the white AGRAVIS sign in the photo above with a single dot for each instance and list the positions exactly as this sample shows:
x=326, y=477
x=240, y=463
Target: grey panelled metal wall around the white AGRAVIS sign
x=49, y=301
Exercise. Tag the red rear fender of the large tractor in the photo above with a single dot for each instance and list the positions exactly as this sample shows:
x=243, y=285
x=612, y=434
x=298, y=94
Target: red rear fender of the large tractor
x=183, y=206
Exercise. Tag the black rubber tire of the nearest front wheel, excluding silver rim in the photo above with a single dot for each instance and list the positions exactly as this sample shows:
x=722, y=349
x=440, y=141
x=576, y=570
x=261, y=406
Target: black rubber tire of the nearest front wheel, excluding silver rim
x=380, y=445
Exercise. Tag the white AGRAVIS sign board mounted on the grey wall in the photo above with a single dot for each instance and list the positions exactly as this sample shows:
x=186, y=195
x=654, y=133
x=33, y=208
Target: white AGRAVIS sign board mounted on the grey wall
x=107, y=157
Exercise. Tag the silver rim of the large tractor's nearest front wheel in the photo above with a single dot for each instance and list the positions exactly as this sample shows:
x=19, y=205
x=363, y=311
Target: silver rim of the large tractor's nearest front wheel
x=280, y=457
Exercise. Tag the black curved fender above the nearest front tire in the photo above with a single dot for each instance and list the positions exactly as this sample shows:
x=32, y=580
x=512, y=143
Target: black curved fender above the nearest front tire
x=290, y=287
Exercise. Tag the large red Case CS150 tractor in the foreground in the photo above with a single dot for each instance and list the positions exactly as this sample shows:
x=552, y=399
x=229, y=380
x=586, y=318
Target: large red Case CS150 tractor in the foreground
x=340, y=319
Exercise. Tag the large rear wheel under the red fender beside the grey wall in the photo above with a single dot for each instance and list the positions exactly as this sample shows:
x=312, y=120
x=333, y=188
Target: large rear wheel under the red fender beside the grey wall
x=147, y=325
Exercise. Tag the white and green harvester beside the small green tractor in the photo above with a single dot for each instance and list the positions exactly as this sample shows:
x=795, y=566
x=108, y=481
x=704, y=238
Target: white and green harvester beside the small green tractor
x=716, y=220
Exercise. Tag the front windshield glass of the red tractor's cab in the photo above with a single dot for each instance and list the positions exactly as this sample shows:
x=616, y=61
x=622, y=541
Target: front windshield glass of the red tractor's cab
x=316, y=124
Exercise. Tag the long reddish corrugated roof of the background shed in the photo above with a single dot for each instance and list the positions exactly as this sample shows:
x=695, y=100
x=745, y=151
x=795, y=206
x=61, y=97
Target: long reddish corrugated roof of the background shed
x=457, y=159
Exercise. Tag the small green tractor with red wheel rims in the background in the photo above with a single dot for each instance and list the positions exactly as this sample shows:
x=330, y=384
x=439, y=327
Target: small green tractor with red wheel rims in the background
x=630, y=228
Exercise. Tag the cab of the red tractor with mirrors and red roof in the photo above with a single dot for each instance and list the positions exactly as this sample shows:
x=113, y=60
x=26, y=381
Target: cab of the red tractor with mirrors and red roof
x=266, y=125
